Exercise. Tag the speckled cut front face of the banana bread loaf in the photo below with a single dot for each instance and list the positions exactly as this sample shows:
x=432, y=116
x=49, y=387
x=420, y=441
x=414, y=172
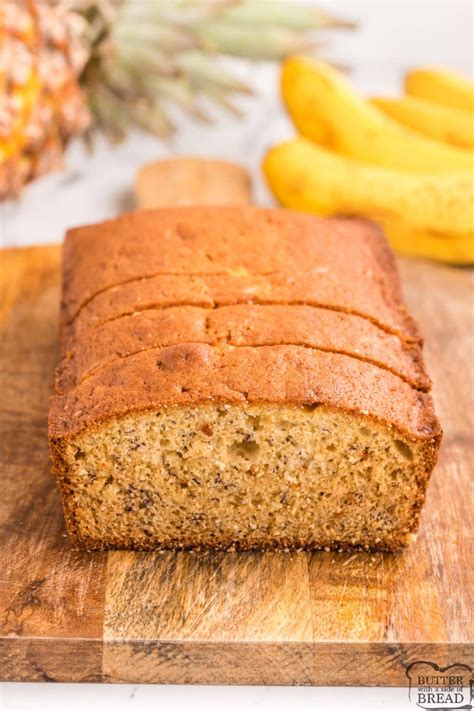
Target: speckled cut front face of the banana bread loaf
x=249, y=476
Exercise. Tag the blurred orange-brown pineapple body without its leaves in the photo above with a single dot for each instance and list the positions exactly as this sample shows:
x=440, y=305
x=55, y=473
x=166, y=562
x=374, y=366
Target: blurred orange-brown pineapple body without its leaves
x=41, y=103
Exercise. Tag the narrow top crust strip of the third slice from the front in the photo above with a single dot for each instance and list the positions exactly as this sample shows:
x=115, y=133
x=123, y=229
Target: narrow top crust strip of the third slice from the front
x=164, y=291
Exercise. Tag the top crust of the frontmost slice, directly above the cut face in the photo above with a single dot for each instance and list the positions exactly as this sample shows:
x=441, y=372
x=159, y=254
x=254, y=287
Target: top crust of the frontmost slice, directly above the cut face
x=189, y=374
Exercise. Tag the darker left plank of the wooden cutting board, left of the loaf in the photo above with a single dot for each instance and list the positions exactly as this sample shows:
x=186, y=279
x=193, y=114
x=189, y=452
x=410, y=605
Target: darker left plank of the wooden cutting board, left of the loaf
x=47, y=590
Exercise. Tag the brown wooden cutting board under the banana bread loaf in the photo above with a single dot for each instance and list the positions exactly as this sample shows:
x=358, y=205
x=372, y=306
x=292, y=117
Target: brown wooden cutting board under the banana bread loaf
x=250, y=618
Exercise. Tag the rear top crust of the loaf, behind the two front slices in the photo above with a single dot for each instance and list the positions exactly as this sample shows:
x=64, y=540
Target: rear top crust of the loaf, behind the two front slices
x=234, y=255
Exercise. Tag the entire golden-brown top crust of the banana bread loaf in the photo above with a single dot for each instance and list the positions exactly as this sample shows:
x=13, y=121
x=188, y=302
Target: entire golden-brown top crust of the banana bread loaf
x=178, y=307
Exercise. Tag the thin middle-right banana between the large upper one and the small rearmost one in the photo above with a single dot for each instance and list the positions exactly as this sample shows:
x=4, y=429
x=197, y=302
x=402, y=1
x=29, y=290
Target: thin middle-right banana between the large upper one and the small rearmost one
x=442, y=123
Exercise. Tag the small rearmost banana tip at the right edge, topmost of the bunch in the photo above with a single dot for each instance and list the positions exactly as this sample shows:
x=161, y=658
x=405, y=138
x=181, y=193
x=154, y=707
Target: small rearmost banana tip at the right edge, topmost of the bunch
x=441, y=87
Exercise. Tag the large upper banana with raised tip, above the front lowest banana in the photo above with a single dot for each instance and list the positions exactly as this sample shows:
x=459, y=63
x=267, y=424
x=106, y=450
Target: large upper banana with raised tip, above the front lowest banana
x=327, y=110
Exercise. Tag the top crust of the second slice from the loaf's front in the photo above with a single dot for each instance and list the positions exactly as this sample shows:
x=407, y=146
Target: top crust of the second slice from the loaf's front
x=241, y=325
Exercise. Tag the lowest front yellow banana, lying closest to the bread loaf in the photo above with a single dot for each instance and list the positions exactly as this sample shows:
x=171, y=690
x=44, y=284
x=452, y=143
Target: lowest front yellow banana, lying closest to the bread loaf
x=424, y=215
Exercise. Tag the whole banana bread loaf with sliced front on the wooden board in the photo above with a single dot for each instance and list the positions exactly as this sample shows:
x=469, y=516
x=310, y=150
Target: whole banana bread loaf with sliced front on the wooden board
x=238, y=377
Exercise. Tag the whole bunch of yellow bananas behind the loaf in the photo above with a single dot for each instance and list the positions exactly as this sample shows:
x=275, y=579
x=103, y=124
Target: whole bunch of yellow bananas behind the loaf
x=407, y=164
